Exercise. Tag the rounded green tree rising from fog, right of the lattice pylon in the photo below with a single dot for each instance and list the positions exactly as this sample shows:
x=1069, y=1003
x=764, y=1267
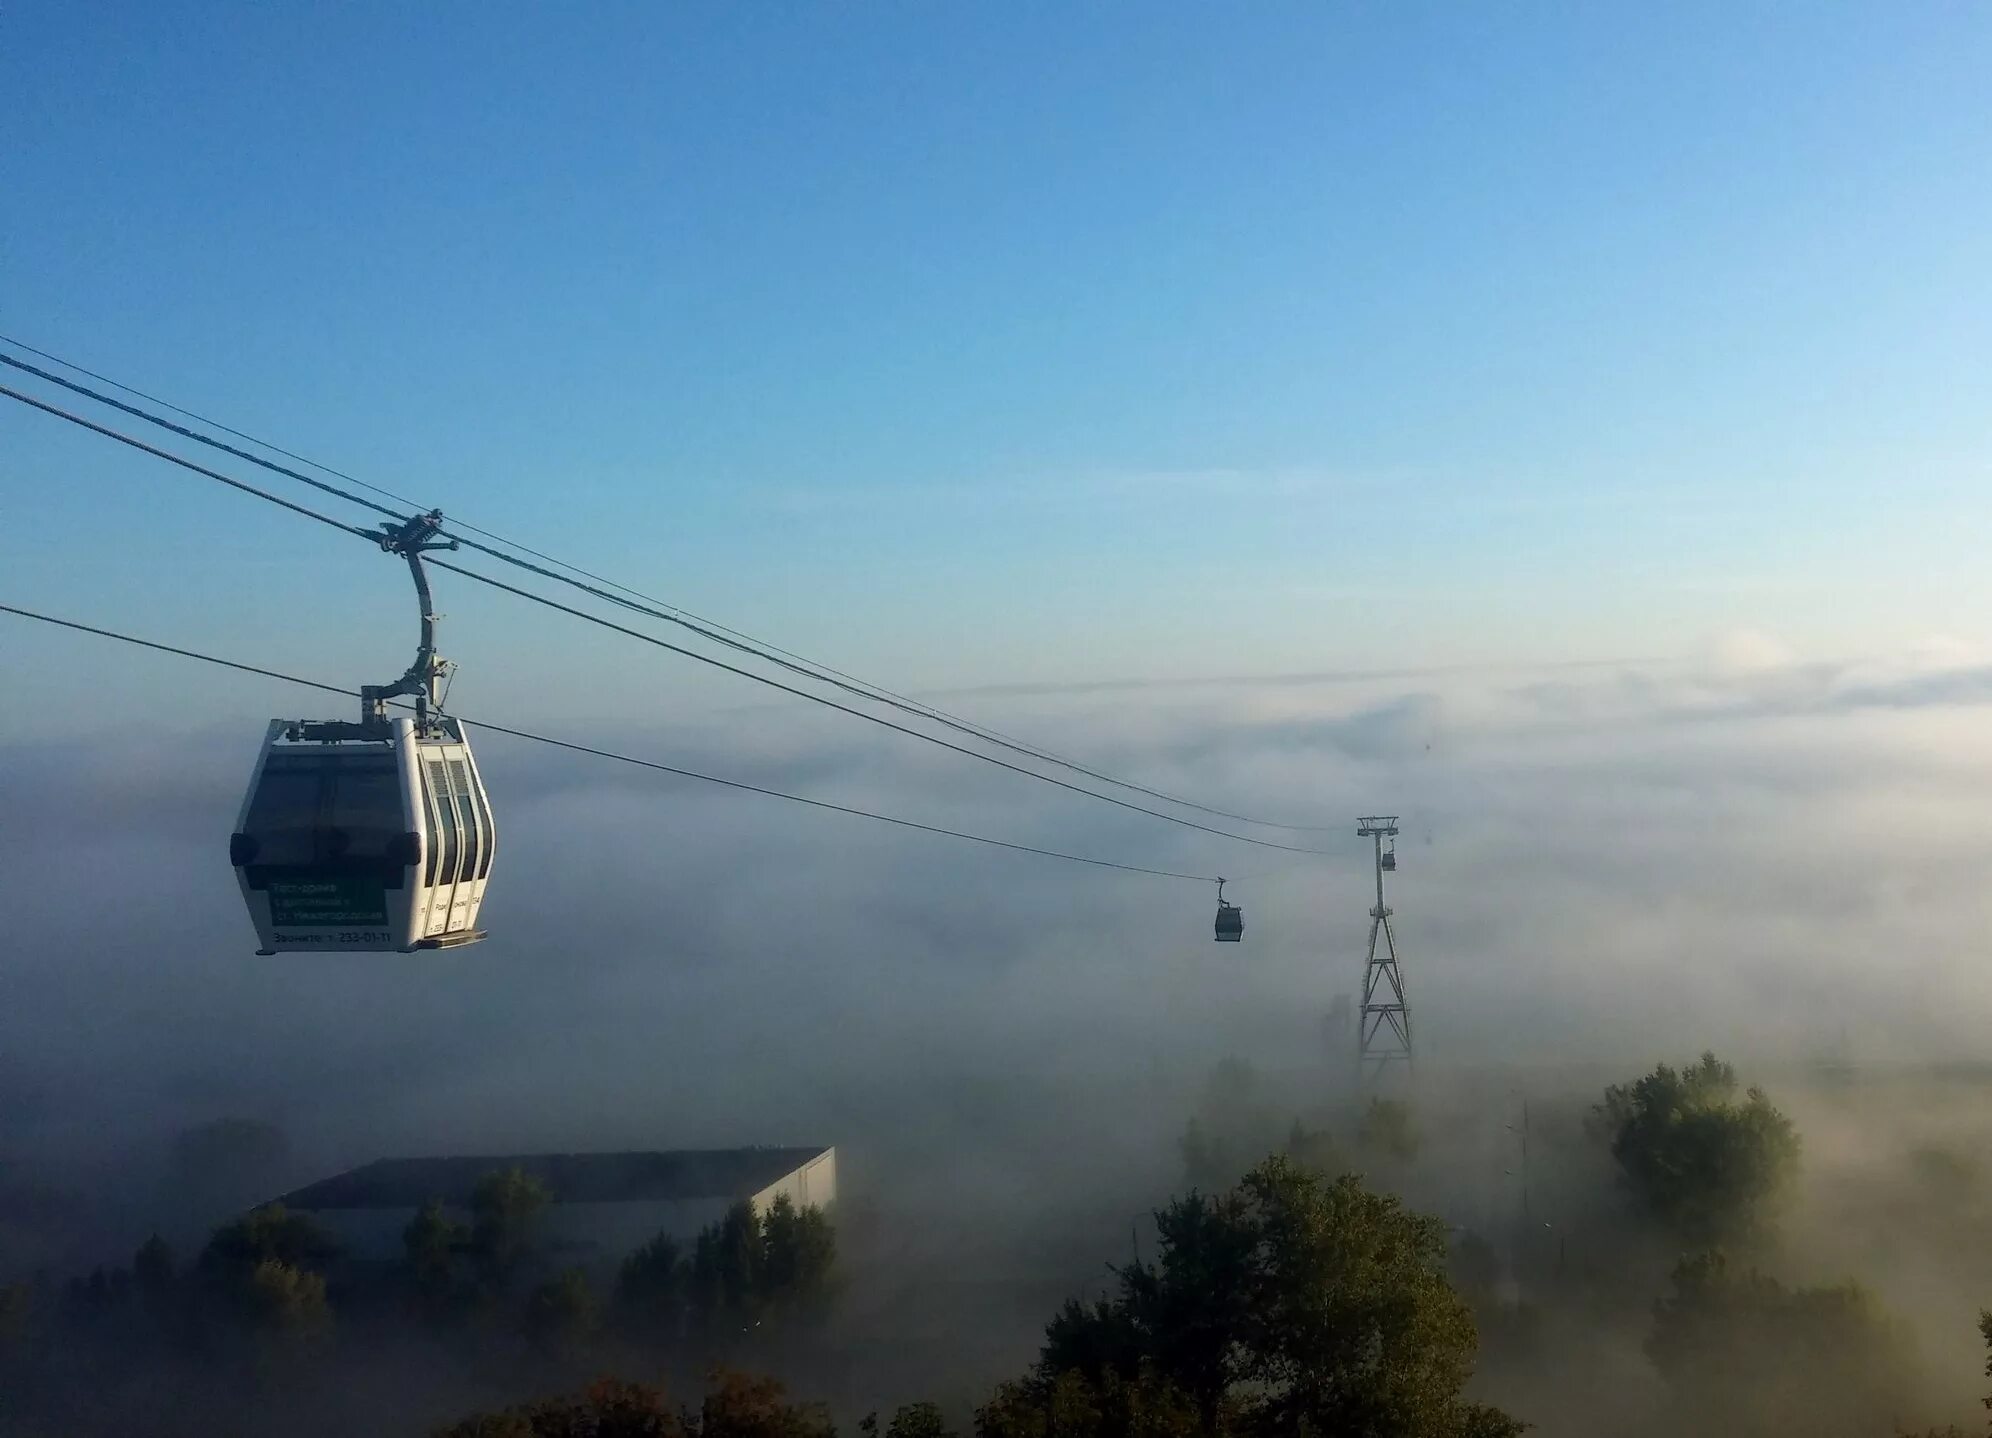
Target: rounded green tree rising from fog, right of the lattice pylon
x=1704, y=1164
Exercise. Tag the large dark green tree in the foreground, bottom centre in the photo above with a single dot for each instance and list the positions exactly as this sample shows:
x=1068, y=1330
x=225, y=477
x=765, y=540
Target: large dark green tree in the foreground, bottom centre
x=1292, y=1304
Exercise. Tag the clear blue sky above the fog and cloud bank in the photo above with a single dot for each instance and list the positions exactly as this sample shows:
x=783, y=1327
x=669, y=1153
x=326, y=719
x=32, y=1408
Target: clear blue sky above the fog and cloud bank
x=1007, y=344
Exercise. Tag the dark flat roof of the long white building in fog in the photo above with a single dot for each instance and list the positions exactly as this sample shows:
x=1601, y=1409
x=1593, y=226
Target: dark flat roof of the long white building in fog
x=573, y=1178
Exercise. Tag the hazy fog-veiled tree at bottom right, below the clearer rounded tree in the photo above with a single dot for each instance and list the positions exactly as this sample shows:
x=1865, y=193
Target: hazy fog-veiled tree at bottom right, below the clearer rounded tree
x=1746, y=1355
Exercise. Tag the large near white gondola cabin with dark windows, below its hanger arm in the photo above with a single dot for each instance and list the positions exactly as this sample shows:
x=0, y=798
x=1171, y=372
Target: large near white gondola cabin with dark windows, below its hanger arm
x=364, y=839
